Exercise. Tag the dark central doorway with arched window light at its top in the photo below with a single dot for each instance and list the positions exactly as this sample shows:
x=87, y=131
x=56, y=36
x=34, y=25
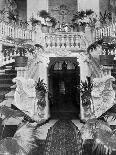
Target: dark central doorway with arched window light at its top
x=64, y=76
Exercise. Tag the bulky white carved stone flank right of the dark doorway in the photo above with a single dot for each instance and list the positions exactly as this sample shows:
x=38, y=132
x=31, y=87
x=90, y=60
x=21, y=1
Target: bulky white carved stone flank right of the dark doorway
x=103, y=94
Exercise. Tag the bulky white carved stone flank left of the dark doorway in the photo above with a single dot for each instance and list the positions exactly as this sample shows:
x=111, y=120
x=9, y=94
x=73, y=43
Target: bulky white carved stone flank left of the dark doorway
x=25, y=95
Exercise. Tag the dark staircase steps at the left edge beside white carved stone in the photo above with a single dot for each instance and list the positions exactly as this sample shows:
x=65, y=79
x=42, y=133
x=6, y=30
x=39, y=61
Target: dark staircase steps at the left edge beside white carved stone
x=7, y=87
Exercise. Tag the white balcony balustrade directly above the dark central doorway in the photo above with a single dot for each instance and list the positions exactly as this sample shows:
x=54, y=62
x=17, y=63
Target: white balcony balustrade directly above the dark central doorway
x=68, y=41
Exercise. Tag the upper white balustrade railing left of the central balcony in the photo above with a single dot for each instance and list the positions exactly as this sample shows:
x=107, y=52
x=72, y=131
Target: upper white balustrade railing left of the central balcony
x=14, y=31
